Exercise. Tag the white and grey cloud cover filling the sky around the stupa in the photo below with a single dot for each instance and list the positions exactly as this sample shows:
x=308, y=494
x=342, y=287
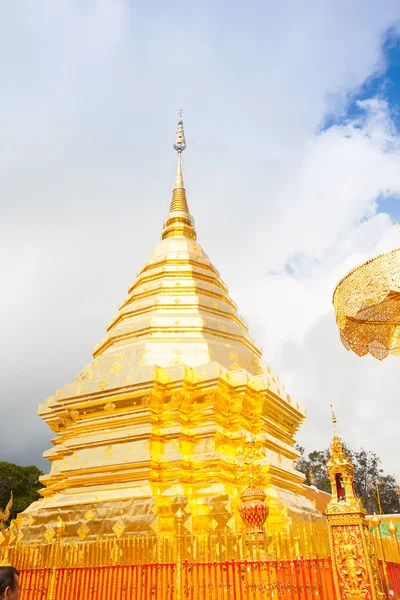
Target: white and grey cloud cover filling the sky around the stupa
x=87, y=115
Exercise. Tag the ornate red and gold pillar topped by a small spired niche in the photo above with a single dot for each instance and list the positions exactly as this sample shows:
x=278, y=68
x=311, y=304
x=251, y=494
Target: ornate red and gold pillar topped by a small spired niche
x=354, y=559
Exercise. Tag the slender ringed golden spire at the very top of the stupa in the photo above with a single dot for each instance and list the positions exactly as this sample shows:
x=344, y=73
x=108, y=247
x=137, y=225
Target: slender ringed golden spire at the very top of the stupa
x=179, y=221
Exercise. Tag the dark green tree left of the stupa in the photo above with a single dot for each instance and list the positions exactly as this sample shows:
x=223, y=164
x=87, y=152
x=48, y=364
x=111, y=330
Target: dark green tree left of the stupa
x=24, y=484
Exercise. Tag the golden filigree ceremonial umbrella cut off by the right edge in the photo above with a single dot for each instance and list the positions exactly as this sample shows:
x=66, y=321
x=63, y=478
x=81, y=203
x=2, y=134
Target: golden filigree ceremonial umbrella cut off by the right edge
x=367, y=307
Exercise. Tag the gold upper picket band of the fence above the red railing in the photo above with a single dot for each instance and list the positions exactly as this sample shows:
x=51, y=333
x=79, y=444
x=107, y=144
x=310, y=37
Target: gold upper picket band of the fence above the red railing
x=303, y=539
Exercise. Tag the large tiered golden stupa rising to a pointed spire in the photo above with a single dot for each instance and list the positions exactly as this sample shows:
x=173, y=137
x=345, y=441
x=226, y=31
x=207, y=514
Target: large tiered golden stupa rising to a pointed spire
x=157, y=422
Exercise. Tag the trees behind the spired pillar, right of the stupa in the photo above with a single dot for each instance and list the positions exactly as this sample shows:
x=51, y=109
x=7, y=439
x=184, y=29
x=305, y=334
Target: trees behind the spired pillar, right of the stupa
x=367, y=474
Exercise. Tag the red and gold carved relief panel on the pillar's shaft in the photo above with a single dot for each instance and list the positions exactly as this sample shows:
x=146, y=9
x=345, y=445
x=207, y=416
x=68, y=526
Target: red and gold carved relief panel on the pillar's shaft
x=350, y=563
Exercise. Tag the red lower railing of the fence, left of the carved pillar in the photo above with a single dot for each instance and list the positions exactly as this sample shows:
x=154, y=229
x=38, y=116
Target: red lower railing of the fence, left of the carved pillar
x=268, y=580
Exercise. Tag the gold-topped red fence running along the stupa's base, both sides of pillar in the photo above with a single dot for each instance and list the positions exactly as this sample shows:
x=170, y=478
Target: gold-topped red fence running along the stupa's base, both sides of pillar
x=294, y=564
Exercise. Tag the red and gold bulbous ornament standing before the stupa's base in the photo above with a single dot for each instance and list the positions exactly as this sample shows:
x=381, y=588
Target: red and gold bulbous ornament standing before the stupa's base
x=254, y=512
